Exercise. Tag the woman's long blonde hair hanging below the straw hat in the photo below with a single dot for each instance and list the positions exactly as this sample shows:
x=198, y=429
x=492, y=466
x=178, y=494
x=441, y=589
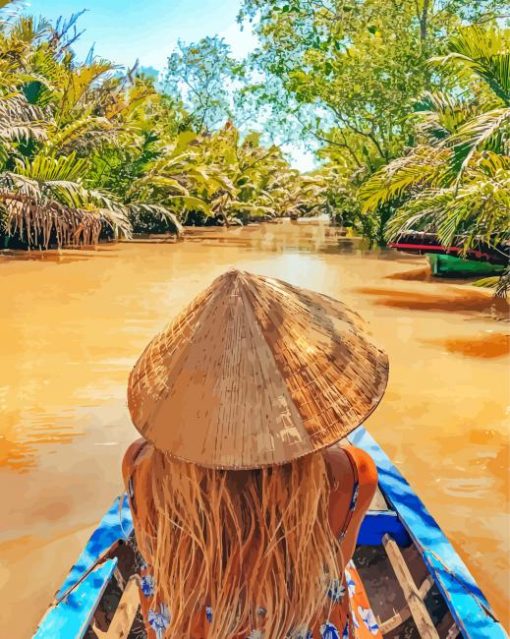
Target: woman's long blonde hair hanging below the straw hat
x=255, y=546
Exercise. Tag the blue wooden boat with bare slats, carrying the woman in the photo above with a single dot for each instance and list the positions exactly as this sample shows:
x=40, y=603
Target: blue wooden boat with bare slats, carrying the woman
x=417, y=584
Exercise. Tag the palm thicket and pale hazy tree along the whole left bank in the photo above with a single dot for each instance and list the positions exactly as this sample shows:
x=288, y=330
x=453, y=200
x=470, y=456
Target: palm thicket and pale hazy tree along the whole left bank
x=88, y=150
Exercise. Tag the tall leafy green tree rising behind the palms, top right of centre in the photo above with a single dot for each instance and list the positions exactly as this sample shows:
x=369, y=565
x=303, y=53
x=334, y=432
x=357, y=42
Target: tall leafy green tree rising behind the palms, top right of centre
x=352, y=69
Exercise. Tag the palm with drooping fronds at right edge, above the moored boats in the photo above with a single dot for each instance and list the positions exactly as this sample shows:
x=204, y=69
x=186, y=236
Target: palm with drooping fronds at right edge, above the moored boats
x=456, y=181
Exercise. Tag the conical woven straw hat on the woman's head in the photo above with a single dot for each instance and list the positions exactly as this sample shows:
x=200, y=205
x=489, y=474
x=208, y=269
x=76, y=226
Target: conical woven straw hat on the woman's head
x=255, y=372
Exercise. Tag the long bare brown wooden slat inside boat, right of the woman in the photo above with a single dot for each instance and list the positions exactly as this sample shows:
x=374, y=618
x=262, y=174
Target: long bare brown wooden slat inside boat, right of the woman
x=412, y=594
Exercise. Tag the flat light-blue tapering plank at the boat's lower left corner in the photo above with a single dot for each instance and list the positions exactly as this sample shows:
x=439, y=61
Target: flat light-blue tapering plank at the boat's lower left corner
x=72, y=616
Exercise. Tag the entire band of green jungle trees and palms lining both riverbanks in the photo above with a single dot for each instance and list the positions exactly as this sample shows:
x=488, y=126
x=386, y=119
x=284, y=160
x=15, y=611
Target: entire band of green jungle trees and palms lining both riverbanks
x=406, y=104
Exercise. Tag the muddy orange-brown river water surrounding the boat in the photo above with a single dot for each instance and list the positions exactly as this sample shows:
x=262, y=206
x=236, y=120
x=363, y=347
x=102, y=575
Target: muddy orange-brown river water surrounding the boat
x=72, y=325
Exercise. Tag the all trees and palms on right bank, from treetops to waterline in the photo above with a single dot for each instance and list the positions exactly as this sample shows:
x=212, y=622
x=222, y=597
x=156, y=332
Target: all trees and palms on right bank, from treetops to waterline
x=408, y=100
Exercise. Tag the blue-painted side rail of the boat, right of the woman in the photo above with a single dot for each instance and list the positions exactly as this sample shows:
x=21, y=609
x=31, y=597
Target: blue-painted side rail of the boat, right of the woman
x=467, y=604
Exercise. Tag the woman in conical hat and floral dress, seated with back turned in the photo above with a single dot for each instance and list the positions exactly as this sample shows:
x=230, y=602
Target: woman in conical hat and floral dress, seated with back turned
x=246, y=509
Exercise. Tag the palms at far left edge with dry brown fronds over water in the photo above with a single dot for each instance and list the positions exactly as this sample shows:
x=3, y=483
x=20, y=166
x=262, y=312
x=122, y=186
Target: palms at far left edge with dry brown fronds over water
x=43, y=194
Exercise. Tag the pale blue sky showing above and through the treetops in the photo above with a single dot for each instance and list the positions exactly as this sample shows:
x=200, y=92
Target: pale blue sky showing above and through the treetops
x=126, y=30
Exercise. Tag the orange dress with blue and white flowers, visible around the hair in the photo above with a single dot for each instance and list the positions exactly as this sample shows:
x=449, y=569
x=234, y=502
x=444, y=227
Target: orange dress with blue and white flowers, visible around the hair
x=341, y=619
